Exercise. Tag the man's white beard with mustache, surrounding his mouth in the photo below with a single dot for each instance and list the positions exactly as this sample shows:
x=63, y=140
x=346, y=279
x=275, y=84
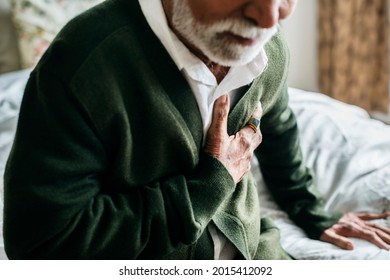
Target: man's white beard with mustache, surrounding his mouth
x=212, y=39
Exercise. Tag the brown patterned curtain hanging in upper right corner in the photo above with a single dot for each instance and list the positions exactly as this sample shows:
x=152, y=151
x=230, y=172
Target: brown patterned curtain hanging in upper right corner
x=353, y=52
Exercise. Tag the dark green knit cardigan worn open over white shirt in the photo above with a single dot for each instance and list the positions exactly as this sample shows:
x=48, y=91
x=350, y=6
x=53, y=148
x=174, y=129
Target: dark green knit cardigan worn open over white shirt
x=107, y=160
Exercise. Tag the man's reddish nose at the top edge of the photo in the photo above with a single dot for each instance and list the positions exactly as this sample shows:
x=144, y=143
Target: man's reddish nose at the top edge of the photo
x=263, y=13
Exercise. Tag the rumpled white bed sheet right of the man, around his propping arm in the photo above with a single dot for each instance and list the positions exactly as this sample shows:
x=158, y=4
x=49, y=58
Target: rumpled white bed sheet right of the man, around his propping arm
x=350, y=154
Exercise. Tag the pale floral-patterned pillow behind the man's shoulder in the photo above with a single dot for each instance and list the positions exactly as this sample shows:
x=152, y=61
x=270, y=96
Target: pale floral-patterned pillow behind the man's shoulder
x=38, y=21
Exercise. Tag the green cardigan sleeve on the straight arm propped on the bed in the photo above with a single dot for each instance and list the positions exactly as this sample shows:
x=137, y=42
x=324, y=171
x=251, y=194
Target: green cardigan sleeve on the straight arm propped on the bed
x=289, y=180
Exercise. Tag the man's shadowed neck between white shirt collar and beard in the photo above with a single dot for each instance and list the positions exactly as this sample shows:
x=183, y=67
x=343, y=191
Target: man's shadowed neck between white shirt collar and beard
x=218, y=71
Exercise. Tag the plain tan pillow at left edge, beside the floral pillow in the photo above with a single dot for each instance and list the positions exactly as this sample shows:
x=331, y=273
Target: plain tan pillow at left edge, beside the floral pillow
x=9, y=54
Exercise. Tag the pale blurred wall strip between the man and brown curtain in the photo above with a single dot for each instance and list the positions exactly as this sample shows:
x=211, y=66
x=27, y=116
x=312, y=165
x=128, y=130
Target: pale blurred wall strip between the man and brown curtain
x=301, y=33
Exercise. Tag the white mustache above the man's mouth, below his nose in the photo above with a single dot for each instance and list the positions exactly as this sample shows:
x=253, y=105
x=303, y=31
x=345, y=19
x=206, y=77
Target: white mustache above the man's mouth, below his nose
x=240, y=27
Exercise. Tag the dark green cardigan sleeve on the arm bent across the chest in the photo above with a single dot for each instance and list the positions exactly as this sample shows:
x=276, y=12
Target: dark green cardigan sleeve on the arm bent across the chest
x=56, y=205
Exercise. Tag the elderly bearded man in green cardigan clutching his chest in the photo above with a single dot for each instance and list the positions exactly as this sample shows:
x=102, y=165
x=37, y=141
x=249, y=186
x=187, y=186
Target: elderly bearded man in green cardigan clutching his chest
x=137, y=130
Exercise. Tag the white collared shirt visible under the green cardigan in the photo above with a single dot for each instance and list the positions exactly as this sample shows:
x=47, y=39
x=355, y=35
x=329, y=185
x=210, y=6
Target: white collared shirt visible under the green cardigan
x=204, y=86
